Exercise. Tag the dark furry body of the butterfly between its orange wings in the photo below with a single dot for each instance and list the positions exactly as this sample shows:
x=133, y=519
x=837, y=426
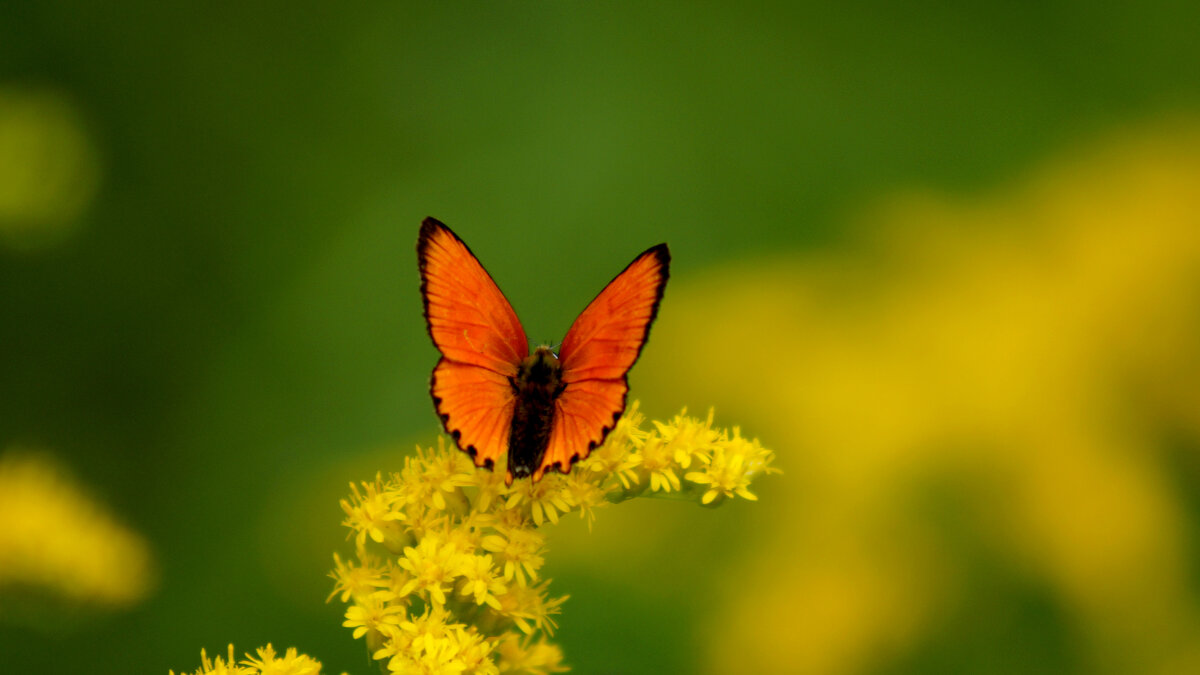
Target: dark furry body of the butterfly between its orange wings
x=537, y=385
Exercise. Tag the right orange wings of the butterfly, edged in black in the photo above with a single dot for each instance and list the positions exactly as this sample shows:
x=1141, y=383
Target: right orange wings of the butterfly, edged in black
x=602, y=347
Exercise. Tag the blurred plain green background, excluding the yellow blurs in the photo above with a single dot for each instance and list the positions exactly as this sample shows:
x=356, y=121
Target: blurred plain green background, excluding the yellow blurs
x=233, y=332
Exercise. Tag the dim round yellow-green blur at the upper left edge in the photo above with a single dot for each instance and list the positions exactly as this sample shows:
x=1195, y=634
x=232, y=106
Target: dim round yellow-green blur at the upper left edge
x=49, y=168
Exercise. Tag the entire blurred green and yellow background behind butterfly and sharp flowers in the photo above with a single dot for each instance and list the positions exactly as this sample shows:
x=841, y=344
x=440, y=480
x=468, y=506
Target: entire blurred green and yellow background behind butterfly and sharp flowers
x=944, y=259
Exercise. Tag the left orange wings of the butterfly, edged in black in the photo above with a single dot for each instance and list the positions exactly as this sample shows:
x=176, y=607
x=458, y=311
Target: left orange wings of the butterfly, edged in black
x=482, y=343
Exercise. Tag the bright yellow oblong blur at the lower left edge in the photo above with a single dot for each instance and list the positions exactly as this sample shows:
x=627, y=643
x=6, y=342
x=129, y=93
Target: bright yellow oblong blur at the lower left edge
x=57, y=541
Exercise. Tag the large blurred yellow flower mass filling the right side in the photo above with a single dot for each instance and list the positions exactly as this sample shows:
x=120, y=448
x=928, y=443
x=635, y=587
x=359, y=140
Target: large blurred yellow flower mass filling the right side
x=1029, y=349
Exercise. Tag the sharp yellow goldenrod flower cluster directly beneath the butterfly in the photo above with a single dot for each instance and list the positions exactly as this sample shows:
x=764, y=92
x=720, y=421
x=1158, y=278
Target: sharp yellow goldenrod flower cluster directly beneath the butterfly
x=447, y=576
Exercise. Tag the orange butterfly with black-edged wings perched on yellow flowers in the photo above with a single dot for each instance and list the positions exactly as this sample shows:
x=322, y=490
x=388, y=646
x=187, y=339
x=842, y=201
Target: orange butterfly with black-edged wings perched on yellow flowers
x=545, y=410
